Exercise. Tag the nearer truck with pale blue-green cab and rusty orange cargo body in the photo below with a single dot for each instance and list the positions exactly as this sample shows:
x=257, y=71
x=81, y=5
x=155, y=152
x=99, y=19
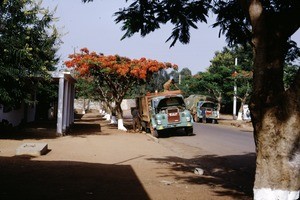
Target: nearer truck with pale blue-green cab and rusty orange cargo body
x=164, y=111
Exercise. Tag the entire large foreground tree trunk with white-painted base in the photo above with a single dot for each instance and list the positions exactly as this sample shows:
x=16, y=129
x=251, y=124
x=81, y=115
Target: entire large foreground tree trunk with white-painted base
x=275, y=114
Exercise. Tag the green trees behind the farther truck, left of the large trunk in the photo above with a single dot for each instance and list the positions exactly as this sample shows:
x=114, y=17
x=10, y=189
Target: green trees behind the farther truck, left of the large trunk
x=218, y=81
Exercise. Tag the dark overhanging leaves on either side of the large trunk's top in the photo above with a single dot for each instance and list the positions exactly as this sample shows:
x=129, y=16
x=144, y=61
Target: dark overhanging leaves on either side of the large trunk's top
x=233, y=18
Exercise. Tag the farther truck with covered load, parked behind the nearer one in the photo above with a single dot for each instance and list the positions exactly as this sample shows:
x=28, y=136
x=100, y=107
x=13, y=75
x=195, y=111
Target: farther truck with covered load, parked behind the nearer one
x=203, y=108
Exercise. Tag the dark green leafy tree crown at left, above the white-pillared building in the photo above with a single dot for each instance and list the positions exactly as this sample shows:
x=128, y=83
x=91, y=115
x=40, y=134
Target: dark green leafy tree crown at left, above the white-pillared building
x=27, y=48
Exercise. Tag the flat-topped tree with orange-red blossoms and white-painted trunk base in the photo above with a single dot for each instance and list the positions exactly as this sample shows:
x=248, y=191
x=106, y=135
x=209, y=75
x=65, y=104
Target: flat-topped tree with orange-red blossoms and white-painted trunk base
x=114, y=75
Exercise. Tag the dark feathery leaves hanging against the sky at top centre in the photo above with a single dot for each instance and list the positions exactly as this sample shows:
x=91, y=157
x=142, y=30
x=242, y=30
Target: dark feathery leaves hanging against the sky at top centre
x=146, y=17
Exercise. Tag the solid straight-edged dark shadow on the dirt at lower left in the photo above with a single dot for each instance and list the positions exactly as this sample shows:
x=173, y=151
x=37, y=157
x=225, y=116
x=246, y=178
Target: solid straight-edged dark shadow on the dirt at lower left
x=23, y=178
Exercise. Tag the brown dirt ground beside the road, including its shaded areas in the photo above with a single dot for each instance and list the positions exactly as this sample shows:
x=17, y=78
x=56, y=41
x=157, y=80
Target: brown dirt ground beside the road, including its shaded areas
x=97, y=161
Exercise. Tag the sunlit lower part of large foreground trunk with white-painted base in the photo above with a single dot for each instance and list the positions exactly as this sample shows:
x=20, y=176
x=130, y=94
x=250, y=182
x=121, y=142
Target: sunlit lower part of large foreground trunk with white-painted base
x=278, y=156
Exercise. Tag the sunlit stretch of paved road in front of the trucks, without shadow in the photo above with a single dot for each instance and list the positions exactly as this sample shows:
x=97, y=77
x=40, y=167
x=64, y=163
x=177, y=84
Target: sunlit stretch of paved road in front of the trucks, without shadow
x=218, y=140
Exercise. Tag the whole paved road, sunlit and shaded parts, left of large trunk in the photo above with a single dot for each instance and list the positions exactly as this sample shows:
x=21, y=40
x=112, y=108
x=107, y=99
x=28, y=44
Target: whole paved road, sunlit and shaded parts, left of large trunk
x=225, y=153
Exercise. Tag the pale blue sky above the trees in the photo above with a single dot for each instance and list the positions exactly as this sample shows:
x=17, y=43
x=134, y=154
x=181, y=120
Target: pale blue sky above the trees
x=92, y=25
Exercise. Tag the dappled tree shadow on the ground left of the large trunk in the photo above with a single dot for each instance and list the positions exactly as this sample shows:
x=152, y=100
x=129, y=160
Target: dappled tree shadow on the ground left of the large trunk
x=235, y=173
